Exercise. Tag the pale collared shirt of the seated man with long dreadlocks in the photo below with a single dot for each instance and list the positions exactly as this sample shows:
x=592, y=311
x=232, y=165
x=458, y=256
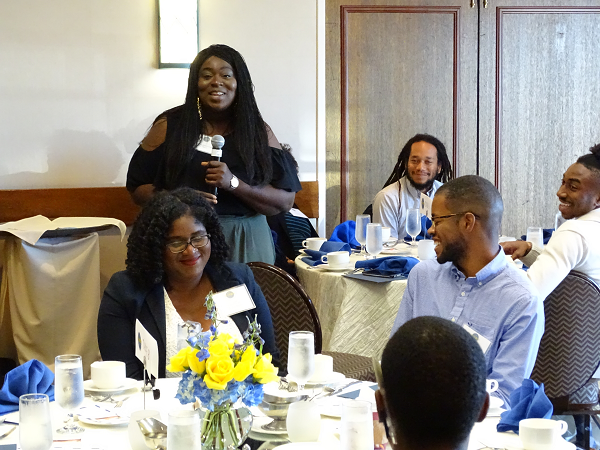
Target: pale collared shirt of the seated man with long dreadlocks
x=392, y=202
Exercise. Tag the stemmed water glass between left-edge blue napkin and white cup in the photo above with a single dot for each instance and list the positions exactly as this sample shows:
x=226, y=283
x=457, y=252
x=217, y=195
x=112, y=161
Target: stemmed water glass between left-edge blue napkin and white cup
x=68, y=388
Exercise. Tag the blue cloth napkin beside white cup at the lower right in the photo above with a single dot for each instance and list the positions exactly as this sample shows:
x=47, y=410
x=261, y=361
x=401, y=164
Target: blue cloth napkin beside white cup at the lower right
x=527, y=402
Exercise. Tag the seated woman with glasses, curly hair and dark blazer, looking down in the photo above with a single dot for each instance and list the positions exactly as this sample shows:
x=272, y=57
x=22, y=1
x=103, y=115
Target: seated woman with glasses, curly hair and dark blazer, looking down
x=175, y=256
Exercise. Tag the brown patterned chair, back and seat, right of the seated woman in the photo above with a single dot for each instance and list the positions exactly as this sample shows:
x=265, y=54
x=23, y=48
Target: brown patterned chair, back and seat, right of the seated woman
x=292, y=310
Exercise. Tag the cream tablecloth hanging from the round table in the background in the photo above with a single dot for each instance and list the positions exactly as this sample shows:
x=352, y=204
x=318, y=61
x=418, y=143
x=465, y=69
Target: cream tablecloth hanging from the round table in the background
x=356, y=316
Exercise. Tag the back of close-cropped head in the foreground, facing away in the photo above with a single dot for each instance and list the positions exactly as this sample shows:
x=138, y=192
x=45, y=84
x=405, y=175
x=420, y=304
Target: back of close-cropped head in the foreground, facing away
x=434, y=383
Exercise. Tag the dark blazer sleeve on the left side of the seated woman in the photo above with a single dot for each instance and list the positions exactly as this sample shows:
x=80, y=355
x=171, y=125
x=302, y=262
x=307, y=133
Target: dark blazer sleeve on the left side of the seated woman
x=116, y=327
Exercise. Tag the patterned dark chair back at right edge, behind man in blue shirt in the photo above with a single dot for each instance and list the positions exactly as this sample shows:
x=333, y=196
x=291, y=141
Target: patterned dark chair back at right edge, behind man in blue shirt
x=569, y=352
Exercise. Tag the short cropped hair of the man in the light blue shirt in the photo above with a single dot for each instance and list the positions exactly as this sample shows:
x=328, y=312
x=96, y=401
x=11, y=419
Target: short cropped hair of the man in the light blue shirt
x=477, y=195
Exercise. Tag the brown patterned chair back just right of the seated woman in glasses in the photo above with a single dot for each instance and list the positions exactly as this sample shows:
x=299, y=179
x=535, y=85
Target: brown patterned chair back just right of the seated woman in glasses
x=291, y=308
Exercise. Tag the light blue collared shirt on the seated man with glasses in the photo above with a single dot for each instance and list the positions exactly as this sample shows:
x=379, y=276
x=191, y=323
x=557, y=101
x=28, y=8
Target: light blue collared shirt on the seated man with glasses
x=499, y=305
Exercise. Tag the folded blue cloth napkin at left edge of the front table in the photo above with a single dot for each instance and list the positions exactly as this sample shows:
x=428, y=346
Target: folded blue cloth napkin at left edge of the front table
x=33, y=377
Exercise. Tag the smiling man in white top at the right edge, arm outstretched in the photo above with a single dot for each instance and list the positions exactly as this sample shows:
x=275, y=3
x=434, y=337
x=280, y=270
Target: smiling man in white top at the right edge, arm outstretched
x=576, y=243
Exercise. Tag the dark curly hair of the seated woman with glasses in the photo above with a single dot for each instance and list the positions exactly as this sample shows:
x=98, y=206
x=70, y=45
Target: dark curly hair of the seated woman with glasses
x=146, y=244
